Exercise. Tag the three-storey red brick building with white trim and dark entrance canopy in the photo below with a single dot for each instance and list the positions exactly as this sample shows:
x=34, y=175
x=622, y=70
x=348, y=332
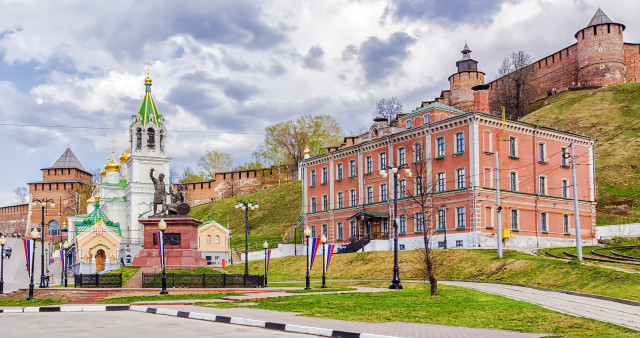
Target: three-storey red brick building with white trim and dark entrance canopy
x=451, y=154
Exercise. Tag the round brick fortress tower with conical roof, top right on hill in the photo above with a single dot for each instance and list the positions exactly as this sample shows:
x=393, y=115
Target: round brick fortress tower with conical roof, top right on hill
x=601, y=52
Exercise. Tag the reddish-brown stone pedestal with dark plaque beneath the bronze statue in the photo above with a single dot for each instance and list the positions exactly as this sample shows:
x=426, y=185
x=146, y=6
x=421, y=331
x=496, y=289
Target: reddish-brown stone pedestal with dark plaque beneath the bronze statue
x=176, y=255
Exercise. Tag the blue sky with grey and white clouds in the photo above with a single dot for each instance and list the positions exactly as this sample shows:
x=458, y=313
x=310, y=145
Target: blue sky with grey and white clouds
x=72, y=72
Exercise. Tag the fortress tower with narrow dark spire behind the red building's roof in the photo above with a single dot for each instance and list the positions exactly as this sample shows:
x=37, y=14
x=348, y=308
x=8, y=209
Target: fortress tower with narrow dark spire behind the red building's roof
x=460, y=83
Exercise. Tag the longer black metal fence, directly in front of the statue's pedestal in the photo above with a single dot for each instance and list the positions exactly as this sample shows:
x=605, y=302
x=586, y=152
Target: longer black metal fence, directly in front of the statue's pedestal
x=154, y=280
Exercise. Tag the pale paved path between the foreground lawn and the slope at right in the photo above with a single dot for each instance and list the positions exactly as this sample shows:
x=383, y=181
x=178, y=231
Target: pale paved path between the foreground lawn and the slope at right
x=598, y=309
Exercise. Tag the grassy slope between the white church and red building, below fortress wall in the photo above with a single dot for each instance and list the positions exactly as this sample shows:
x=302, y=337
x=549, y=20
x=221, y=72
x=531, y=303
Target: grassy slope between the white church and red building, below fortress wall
x=279, y=208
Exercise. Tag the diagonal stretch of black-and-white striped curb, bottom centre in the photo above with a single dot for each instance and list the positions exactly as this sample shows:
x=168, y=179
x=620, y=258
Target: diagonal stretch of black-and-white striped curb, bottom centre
x=256, y=323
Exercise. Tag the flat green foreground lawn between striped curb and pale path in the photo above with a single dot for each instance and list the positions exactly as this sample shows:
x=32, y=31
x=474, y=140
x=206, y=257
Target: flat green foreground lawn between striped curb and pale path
x=453, y=306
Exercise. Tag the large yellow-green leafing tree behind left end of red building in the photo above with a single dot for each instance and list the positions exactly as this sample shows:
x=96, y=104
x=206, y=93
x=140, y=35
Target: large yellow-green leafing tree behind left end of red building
x=285, y=142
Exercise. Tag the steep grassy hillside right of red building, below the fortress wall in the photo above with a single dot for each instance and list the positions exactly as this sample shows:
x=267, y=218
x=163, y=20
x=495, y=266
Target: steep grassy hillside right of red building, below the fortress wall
x=599, y=113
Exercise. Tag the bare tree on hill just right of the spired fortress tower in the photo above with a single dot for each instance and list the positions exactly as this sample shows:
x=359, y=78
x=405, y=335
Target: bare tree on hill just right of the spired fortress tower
x=514, y=90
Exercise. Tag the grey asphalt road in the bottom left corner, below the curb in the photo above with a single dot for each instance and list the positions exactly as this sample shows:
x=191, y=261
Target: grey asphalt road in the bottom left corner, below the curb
x=118, y=324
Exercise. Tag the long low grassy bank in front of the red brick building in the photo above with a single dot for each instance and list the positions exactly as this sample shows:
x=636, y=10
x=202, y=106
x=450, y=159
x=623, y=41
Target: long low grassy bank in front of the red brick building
x=482, y=265
